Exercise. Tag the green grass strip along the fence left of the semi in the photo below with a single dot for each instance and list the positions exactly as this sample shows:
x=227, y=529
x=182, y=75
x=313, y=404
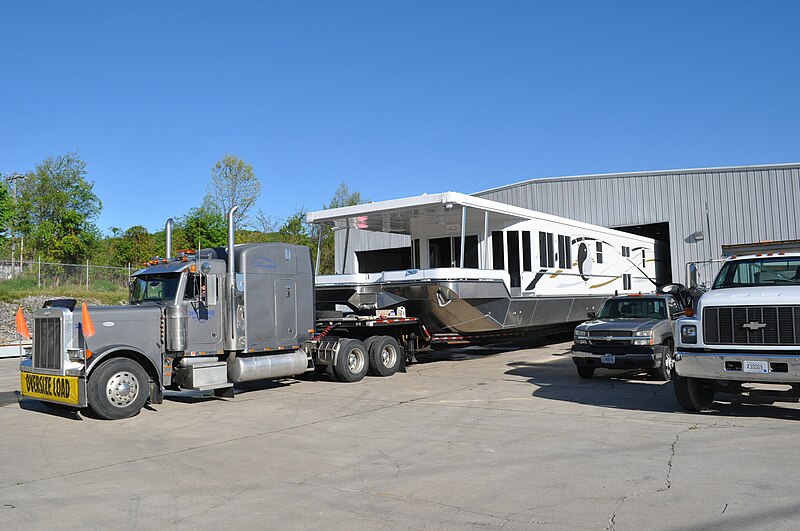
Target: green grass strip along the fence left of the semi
x=24, y=286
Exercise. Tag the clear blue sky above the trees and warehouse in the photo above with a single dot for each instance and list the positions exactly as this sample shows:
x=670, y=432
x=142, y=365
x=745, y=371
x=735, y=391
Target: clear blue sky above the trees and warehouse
x=394, y=98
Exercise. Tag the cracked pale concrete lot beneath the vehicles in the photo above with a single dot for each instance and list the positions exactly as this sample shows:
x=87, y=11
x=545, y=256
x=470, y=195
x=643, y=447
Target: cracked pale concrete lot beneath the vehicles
x=488, y=438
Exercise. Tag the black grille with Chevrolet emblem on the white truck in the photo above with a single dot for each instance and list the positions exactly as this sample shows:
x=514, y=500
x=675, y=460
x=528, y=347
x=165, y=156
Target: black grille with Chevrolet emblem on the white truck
x=751, y=325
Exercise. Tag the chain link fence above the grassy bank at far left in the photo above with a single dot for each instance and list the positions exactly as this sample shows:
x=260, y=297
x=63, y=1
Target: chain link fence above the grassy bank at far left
x=45, y=275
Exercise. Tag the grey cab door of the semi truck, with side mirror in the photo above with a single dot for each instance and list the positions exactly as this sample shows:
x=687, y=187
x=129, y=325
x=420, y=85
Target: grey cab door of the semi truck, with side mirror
x=204, y=333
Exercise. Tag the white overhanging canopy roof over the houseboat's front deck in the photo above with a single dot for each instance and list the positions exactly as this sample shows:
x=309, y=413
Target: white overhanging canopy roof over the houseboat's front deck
x=398, y=215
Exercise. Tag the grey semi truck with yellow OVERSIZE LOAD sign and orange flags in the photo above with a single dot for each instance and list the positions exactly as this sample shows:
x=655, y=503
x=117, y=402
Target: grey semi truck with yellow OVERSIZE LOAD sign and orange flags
x=204, y=321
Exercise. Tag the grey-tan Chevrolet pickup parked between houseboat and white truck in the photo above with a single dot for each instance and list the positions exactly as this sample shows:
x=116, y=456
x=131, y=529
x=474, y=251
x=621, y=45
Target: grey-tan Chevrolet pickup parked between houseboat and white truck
x=629, y=332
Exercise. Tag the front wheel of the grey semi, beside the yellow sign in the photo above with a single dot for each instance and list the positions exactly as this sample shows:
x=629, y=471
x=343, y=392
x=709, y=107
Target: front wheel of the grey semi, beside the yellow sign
x=118, y=389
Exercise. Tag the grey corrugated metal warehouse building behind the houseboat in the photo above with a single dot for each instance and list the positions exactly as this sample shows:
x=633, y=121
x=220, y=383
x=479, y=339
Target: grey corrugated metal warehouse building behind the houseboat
x=693, y=212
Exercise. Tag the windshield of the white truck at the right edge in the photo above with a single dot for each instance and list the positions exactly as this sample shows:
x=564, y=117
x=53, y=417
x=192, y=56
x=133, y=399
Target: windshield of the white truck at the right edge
x=759, y=272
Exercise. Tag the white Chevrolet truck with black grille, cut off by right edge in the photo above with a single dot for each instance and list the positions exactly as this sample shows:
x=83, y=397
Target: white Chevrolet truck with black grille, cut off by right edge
x=745, y=330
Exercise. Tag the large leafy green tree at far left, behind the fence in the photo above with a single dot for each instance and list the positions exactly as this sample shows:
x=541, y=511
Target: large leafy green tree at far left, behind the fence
x=57, y=208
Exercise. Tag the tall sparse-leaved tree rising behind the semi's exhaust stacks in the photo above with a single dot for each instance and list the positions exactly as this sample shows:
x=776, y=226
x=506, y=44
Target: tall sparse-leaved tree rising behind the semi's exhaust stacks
x=232, y=183
